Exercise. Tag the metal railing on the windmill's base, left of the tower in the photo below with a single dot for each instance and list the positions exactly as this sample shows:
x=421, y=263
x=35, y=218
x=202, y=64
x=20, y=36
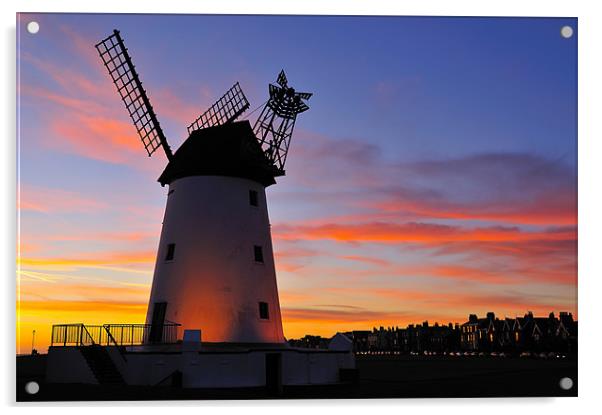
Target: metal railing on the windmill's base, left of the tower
x=113, y=334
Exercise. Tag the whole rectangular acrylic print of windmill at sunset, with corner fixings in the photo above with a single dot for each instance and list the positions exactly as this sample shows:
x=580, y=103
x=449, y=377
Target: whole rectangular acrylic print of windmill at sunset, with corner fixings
x=258, y=207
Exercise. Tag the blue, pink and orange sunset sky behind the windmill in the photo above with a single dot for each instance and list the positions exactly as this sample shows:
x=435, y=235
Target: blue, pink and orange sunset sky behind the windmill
x=434, y=175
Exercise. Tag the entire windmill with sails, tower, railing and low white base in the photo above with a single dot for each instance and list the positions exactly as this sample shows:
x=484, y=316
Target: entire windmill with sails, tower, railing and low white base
x=214, y=272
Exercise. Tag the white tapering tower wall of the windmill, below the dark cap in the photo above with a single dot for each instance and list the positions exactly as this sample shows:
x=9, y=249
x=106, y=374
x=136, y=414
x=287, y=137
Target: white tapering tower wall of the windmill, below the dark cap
x=213, y=283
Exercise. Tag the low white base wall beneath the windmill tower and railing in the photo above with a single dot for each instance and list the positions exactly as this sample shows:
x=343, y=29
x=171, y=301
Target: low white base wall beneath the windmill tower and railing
x=203, y=370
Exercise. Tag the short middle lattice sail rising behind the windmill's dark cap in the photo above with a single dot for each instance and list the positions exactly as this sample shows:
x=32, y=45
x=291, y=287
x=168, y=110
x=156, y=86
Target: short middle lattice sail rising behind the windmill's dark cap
x=226, y=109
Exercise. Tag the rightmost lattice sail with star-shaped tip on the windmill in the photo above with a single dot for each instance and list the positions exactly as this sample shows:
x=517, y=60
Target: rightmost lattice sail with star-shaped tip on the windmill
x=275, y=125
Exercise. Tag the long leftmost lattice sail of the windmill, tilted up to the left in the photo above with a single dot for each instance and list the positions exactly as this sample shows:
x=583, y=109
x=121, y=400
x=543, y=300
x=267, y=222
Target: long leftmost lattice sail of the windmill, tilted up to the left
x=118, y=62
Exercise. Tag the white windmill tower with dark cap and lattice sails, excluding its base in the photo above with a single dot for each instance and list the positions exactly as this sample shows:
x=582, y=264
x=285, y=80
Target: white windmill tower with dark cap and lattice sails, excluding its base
x=215, y=268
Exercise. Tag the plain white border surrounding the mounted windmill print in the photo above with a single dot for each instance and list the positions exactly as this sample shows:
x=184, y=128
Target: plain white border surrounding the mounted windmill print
x=590, y=202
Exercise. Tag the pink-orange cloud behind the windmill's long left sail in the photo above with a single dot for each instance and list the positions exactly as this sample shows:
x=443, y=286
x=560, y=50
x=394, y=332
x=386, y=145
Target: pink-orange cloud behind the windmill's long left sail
x=90, y=119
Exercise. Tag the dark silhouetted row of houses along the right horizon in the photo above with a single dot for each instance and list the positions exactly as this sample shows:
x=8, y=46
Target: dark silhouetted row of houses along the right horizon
x=488, y=334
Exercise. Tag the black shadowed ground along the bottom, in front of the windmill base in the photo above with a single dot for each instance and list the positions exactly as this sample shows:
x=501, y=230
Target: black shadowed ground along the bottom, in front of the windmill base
x=379, y=377
